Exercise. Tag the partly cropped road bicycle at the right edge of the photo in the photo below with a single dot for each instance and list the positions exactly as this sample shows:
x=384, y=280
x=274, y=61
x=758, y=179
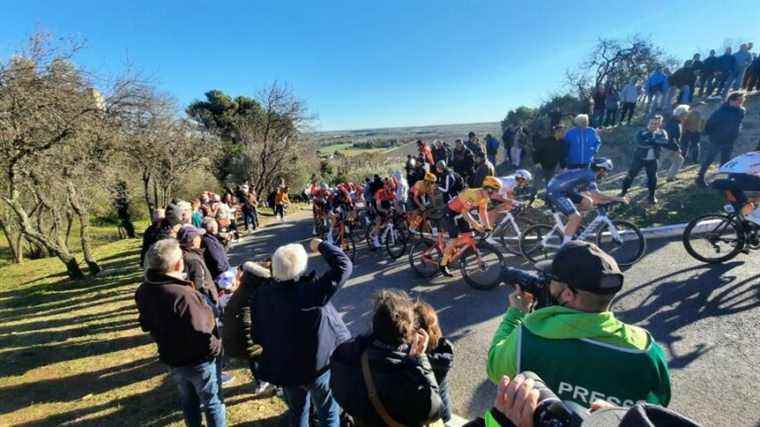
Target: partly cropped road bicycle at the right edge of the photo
x=716, y=238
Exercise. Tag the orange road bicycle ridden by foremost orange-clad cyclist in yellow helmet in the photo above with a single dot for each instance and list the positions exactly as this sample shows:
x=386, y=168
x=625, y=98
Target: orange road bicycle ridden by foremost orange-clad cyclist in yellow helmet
x=479, y=261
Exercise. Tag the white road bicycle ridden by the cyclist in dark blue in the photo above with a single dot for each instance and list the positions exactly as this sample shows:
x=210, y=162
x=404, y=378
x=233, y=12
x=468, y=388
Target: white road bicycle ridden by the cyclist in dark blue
x=620, y=239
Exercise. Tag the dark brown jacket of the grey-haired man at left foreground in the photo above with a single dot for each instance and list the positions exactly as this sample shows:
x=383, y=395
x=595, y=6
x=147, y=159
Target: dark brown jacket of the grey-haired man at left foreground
x=179, y=320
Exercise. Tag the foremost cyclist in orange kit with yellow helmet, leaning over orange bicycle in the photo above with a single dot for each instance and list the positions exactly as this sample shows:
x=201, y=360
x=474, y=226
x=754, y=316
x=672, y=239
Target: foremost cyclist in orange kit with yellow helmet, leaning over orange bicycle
x=461, y=221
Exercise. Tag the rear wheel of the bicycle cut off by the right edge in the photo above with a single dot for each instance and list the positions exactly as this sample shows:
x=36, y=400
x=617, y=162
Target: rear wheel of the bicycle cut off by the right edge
x=713, y=238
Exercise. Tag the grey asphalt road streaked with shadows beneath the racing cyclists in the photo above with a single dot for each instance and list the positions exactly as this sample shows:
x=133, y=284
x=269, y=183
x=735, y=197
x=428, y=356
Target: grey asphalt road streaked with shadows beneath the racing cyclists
x=706, y=318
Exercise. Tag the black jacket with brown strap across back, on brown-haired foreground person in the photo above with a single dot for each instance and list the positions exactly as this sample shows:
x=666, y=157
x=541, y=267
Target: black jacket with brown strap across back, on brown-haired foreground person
x=406, y=386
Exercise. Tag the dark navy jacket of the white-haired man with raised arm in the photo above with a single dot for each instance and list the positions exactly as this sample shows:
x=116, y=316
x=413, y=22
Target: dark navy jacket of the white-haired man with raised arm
x=297, y=325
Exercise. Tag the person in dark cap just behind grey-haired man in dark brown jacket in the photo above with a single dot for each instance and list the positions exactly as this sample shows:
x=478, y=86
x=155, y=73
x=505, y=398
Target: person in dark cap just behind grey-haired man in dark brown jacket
x=190, y=239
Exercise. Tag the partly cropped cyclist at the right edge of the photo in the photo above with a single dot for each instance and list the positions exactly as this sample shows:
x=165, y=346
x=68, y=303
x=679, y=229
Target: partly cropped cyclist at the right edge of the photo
x=743, y=176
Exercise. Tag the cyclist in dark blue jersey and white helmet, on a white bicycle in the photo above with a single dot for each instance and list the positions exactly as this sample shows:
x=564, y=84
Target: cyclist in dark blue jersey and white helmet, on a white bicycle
x=578, y=186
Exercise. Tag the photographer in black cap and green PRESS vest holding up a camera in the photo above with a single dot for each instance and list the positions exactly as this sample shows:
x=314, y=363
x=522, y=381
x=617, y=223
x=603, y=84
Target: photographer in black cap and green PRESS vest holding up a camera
x=575, y=343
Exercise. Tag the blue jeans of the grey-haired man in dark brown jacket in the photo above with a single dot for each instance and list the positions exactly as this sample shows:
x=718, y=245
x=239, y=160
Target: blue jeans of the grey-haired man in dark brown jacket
x=200, y=384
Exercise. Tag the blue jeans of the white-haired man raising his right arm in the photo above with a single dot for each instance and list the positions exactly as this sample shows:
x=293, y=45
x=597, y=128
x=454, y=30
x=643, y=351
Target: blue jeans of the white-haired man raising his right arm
x=318, y=392
